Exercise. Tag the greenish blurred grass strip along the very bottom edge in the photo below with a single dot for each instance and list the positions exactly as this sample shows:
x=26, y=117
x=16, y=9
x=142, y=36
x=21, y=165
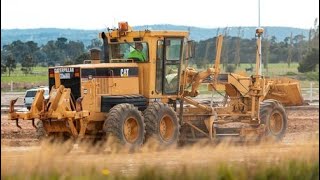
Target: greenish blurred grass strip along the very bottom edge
x=292, y=169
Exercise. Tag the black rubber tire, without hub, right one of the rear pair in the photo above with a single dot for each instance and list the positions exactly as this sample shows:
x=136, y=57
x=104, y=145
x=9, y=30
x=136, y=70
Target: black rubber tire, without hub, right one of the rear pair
x=153, y=115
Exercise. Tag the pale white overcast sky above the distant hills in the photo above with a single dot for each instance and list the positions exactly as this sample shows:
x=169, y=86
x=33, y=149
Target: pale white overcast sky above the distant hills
x=100, y=14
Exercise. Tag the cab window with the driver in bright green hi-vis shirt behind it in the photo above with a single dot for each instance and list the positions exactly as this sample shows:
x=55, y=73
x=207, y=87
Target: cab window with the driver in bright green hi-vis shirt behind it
x=129, y=50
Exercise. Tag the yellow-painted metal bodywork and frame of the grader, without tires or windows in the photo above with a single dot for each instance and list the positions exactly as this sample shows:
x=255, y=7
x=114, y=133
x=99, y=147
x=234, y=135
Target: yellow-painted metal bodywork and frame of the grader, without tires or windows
x=245, y=93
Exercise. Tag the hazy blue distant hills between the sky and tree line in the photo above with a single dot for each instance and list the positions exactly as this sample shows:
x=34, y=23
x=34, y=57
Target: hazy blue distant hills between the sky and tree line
x=43, y=35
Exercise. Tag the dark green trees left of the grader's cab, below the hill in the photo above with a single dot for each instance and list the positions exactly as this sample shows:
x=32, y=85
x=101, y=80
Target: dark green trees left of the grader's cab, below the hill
x=55, y=52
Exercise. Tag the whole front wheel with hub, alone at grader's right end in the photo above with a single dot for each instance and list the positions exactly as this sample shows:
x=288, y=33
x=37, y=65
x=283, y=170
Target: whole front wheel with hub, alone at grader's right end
x=274, y=117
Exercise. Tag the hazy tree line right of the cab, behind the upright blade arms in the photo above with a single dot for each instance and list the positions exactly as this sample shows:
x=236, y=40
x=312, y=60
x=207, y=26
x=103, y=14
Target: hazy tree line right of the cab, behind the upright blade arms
x=235, y=50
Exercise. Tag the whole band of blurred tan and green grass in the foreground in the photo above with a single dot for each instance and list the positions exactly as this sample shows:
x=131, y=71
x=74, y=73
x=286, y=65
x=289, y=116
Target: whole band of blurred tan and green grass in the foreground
x=266, y=161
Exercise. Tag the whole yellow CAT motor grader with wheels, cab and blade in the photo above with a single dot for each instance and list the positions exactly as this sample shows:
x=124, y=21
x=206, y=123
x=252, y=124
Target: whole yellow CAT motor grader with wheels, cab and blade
x=135, y=100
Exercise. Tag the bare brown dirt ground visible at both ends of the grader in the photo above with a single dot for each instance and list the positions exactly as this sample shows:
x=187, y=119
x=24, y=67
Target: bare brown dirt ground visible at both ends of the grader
x=302, y=125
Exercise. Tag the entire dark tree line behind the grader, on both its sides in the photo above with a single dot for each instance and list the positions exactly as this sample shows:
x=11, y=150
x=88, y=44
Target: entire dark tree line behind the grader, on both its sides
x=235, y=50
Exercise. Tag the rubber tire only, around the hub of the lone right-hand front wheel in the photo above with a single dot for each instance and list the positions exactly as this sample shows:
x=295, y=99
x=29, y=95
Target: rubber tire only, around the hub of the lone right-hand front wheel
x=268, y=108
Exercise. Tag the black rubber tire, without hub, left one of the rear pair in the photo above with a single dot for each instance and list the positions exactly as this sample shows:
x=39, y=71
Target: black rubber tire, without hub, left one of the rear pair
x=114, y=124
